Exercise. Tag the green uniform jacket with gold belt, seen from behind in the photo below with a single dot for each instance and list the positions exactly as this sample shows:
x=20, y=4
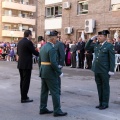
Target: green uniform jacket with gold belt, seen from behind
x=48, y=54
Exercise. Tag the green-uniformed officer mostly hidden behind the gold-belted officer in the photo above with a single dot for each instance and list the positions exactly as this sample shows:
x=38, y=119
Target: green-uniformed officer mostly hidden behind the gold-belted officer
x=59, y=46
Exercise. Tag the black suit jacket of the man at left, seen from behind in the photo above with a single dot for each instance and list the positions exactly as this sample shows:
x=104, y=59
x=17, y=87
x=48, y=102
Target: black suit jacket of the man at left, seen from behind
x=25, y=49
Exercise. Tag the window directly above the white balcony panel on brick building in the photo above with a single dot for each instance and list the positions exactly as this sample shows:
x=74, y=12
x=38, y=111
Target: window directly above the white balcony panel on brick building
x=55, y=11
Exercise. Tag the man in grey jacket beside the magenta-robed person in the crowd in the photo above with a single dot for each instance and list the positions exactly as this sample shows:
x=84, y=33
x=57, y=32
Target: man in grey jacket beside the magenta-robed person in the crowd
x=73, y=50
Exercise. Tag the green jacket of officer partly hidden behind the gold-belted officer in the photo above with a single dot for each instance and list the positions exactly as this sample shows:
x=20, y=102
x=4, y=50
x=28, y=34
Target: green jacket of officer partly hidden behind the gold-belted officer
x=59, y=46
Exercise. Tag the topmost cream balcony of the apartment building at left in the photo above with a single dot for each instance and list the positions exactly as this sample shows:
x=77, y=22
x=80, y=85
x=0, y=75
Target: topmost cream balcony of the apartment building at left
x=18, y=6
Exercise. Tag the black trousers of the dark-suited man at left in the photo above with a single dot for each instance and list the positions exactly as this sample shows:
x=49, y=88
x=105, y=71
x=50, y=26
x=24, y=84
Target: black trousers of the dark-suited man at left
x=25, y=76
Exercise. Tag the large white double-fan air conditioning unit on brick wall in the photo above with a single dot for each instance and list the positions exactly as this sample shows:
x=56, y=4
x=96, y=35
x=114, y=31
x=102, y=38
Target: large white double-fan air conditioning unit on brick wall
x=89, y=25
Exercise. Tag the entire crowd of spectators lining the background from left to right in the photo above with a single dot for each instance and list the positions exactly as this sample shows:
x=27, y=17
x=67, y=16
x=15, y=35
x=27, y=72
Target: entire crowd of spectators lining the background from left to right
x=76, y=56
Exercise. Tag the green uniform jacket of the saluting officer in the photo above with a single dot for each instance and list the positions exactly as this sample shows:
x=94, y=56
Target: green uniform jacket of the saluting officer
x=104, y=57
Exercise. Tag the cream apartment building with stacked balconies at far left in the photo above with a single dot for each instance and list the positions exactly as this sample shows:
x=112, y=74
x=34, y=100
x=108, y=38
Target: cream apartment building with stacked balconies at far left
x=15, y=17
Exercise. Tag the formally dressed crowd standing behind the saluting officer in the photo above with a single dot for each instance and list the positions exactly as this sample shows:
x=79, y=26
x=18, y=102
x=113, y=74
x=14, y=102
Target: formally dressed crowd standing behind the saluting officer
x=76, y=56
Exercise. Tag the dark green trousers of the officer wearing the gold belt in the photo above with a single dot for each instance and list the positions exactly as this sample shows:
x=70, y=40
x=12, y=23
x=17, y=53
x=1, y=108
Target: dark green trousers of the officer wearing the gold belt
x=52, y=85
